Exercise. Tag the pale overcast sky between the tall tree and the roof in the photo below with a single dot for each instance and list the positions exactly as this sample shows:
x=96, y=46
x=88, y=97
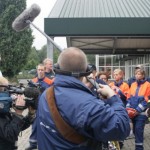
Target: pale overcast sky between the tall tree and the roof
x=46, y=6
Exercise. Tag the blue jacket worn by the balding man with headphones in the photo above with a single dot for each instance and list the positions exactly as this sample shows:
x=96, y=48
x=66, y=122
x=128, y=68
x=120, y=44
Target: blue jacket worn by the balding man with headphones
x=87, y=114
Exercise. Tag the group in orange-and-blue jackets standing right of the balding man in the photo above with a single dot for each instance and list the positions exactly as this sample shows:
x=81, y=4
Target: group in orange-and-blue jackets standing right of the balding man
x=135, y=94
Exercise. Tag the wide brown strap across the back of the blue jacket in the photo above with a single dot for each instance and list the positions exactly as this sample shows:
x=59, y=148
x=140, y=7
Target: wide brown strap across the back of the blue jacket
x=68, y=132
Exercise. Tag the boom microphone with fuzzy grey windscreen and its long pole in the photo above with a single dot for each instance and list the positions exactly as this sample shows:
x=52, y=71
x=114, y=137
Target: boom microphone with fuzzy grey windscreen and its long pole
x=26, y=18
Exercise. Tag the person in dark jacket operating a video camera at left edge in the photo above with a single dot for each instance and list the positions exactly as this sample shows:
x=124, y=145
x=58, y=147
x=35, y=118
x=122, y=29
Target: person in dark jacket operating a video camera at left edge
x=12, y=123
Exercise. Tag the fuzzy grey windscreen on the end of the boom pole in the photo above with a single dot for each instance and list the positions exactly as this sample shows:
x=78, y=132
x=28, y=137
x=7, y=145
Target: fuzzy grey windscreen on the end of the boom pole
x=20, y=23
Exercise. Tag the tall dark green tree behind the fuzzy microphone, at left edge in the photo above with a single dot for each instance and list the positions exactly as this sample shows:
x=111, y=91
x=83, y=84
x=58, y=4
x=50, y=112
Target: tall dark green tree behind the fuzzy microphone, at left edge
x=14, y=46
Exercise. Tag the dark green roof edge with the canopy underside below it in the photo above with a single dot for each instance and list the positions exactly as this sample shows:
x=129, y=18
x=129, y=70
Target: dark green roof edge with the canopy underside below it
x=103, y=35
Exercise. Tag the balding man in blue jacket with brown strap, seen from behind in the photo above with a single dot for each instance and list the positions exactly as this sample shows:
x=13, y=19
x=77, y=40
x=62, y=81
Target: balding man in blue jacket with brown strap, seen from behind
x=70, y=117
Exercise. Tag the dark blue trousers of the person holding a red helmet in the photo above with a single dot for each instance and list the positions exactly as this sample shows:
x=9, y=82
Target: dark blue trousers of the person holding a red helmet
x=138, y=130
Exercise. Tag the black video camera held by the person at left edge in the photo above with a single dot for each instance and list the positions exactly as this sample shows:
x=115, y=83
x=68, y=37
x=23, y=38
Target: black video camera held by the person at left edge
x=30, y=93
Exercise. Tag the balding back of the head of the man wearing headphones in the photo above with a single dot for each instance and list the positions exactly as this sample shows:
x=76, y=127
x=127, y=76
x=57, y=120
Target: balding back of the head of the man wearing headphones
x=72, y=59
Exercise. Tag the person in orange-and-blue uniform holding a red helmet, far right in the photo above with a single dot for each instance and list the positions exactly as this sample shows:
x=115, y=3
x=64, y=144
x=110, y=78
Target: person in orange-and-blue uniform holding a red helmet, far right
x=136, y=106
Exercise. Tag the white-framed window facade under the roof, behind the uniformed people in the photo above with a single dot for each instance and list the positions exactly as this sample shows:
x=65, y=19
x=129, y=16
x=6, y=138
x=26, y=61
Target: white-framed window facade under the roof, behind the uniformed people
x=124, y=62
